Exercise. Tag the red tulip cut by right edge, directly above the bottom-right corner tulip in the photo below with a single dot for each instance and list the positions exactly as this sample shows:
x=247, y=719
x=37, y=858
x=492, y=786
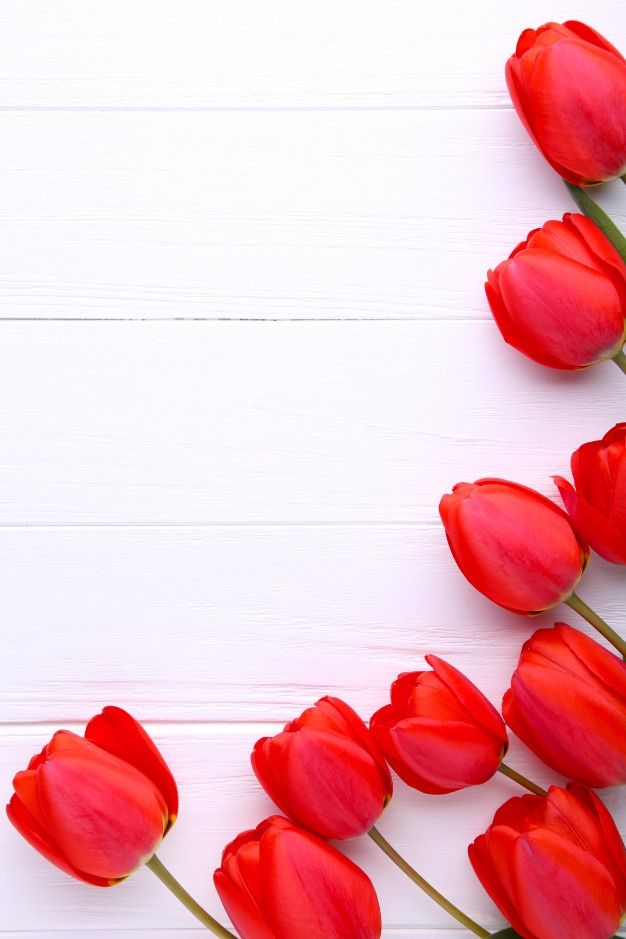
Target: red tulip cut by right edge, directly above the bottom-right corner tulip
x=567, y=702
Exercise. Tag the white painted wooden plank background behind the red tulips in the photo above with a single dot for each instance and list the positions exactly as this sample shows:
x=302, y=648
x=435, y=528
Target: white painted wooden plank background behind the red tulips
x=244, y=348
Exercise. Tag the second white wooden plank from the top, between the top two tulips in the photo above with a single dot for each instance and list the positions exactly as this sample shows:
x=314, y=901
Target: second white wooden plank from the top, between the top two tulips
x=259, y=215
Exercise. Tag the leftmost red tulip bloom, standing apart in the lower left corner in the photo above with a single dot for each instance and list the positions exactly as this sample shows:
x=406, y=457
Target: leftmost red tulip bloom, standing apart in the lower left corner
x=97, y=806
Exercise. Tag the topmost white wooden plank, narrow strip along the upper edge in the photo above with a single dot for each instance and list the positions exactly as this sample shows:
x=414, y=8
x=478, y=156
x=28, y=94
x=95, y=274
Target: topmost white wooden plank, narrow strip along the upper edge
x=293, y=54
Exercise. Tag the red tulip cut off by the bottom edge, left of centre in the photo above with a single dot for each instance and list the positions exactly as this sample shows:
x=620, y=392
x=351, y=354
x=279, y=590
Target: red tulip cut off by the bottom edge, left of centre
x=280, y=882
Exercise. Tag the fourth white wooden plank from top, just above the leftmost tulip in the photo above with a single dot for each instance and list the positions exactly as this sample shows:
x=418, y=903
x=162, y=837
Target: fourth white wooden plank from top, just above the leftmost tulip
x=242, y=623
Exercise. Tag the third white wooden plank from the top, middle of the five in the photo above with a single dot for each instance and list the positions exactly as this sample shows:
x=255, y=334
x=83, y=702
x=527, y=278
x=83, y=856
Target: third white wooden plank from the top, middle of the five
x=202, y=423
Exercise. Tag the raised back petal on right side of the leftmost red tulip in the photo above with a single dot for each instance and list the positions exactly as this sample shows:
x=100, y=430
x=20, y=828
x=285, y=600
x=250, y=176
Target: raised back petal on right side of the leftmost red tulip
x=115, y=731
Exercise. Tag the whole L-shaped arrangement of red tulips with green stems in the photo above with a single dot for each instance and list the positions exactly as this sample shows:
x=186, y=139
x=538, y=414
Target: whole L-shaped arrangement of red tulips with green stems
x=554, y=863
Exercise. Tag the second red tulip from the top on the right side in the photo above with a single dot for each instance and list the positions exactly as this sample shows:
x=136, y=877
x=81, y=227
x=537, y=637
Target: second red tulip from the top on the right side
x=560, y=298
